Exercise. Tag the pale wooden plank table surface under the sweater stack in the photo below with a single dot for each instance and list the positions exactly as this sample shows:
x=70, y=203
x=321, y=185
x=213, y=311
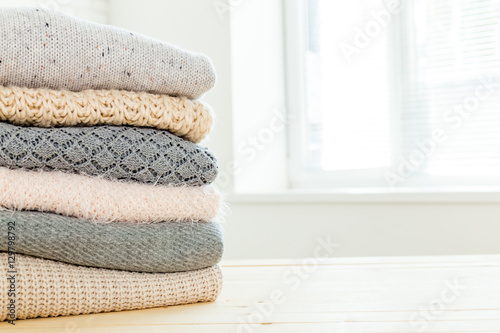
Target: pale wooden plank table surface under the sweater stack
x=397, y=294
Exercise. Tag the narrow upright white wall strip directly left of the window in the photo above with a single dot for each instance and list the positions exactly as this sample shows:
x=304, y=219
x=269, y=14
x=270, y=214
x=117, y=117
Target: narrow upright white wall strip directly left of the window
x=259, y=99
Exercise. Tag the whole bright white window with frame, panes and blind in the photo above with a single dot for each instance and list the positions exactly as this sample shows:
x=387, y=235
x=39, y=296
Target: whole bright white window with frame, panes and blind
x=394, y=93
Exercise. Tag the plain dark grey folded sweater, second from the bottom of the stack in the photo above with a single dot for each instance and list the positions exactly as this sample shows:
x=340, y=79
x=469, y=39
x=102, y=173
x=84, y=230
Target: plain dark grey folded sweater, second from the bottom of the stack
x=161, y=247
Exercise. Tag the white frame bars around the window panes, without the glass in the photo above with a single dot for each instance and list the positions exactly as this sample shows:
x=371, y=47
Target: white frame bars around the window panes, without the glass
x=302, y=178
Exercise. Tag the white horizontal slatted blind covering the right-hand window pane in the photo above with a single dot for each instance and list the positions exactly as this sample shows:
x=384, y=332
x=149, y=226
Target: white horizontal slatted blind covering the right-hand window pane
x=456, y=86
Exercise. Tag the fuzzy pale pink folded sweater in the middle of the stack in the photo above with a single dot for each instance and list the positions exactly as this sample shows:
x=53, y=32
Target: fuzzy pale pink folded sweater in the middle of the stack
x=105, y=200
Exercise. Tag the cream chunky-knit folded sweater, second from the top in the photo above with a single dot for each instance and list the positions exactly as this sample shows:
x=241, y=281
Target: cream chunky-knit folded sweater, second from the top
x=191, y=120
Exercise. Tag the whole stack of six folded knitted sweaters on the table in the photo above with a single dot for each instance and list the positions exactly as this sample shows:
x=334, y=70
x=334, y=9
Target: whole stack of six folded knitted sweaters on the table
x=105, y=196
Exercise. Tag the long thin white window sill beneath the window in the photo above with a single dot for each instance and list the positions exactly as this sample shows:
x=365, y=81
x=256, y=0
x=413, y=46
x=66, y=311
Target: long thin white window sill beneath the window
x=367, y=195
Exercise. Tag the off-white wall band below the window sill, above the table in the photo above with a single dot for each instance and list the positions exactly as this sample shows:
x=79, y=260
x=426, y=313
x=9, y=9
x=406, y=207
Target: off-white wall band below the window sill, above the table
x=287, y=230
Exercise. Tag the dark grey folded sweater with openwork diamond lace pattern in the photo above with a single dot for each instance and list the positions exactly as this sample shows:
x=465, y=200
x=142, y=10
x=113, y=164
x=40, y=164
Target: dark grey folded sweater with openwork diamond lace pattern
x=127, y=153
